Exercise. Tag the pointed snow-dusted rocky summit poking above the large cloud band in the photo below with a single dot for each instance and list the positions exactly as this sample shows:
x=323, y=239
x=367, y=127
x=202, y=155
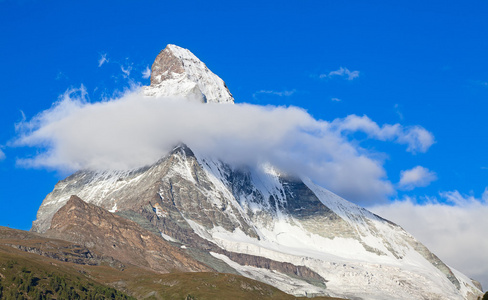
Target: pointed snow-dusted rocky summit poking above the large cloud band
x=178, y=72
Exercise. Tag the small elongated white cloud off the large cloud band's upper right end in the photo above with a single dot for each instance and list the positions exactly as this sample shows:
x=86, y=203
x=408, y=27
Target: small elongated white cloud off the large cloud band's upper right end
x=417, y=138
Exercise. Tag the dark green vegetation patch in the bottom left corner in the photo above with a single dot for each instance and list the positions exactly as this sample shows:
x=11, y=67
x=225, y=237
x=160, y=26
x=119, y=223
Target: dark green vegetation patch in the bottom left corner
x=18, y=280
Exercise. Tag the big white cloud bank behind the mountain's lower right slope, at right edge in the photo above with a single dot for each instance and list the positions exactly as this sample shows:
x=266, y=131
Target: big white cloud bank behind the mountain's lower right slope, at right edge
x=455, y=231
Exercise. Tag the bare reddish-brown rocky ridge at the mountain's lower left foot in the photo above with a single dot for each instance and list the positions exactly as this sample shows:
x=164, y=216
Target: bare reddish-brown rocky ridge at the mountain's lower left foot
x=112, y=235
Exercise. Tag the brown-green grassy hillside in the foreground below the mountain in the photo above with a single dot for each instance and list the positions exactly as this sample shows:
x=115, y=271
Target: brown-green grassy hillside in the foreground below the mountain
x=35, y=267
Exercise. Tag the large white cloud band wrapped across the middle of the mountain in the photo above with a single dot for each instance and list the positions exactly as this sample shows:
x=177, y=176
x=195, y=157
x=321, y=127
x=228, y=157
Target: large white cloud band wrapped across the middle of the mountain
x=133, y=131
